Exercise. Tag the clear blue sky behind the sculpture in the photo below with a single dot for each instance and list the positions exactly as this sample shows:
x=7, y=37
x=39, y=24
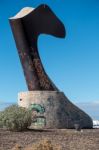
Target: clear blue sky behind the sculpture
x=72, y=63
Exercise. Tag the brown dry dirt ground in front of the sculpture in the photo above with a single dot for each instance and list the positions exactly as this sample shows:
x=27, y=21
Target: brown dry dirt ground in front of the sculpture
x=68, y=139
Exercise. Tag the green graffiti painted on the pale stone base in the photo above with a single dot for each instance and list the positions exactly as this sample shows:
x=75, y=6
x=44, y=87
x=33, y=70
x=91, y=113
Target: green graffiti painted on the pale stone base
x=38, y=118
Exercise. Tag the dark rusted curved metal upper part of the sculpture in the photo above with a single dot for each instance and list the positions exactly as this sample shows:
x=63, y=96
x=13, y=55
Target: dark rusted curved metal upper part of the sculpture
x=26, y=30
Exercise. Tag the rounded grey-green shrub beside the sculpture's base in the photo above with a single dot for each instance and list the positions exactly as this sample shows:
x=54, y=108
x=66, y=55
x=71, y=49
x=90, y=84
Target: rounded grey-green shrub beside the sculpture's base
x=15, y=118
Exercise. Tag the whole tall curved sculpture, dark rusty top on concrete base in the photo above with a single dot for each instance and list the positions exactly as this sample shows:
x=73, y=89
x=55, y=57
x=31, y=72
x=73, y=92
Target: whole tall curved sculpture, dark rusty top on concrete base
x=59, y=112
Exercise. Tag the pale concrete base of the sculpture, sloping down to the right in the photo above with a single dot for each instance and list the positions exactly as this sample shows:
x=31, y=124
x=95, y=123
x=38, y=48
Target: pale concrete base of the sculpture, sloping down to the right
x=52, y=109
